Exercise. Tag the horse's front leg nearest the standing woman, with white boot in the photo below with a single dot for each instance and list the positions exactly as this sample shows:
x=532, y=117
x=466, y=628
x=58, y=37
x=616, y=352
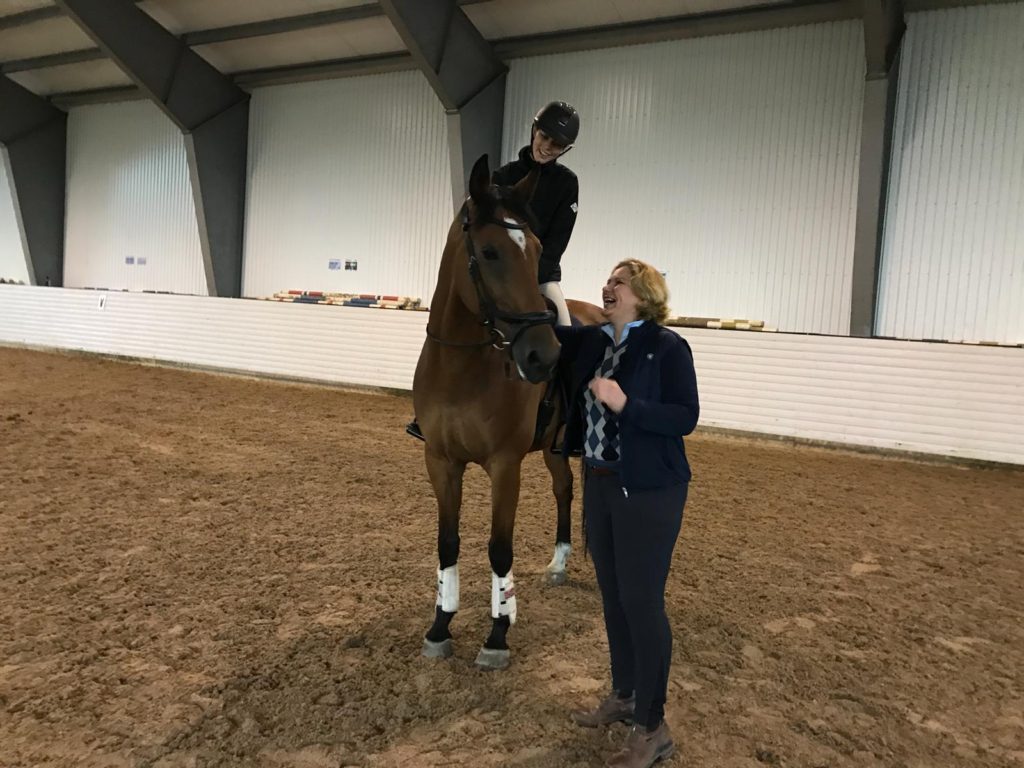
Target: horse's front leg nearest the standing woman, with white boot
x=504, y=475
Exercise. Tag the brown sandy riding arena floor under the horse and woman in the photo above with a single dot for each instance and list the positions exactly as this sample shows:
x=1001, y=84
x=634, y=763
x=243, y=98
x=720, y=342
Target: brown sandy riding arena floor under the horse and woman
x=203, y=570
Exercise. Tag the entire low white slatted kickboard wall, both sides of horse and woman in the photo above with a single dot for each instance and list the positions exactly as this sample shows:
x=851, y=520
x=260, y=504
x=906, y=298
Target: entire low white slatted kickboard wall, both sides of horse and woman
x=952, y=400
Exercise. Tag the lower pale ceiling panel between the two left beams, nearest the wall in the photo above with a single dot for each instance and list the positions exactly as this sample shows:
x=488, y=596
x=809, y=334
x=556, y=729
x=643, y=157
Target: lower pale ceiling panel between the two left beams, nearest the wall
x=349, y=40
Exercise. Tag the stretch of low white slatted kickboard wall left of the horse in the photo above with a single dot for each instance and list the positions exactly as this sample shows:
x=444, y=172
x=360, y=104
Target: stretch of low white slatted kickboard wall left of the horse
x=371, y=348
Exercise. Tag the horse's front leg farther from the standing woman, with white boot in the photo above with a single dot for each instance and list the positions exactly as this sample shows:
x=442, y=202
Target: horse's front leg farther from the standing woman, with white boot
x=446, y=477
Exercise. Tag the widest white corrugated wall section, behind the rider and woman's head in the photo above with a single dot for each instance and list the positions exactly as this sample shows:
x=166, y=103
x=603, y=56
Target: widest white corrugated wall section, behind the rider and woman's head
x=729, y=162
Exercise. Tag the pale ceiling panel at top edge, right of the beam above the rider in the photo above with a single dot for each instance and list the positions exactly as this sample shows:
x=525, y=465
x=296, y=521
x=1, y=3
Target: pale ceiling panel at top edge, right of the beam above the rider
x=502, y=19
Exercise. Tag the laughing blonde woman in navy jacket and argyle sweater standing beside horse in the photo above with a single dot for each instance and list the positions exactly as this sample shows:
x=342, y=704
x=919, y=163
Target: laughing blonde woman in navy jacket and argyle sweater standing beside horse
x=635, y=396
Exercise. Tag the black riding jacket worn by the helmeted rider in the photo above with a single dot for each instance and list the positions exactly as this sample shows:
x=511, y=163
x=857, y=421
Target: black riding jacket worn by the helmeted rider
x=554, y=204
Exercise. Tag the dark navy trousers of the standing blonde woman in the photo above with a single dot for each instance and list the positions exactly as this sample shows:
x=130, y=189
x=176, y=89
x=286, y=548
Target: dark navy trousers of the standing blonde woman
x=631, y=539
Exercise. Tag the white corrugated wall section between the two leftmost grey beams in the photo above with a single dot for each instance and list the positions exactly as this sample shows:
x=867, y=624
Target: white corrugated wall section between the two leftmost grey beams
x=132, y=218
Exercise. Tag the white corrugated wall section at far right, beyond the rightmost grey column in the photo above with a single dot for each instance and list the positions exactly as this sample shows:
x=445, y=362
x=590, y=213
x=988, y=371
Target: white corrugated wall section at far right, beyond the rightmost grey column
x=954, y=255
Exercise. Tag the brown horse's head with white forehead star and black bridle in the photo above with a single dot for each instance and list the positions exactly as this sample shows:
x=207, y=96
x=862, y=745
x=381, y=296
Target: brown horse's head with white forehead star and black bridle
x=501, y=283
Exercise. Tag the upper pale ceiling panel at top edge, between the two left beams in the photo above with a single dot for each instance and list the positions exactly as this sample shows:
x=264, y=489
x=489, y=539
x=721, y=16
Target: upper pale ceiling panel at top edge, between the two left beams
x=189, y=16
